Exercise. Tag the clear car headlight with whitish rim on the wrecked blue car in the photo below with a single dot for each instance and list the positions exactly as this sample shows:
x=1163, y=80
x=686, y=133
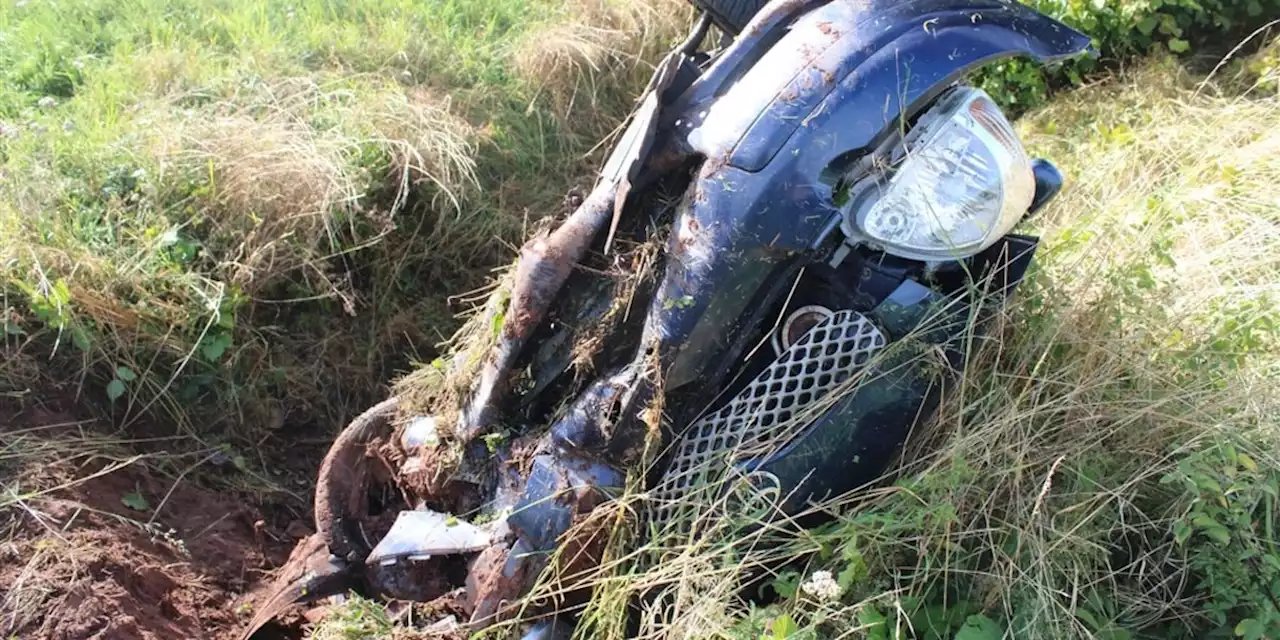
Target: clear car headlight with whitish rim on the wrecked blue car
x=962, y=182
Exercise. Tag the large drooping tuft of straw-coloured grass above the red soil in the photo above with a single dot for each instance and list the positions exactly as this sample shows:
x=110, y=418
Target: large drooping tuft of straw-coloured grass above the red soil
x=284, y=194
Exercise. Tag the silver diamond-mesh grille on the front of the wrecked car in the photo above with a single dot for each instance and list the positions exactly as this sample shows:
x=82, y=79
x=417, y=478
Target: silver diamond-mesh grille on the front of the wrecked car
x=764, y=417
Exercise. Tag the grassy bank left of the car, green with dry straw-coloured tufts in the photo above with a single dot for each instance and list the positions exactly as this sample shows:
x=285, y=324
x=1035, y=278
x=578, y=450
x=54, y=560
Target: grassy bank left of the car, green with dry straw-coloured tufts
x=259, y=209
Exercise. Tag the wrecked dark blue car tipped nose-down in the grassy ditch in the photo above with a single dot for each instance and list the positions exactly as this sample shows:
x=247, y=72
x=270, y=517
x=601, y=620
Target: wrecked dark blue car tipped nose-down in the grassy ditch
x=788, y=255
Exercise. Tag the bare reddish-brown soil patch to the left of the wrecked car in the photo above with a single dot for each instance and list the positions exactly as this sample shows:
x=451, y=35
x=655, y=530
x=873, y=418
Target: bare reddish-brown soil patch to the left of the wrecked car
x=84, y=563
